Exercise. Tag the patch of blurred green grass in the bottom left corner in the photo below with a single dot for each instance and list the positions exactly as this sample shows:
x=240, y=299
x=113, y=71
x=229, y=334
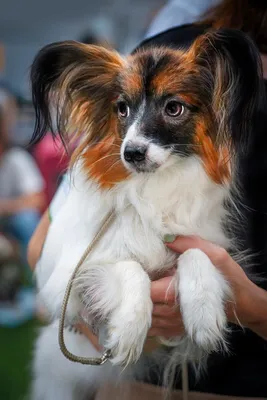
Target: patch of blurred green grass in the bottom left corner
x=16, y=346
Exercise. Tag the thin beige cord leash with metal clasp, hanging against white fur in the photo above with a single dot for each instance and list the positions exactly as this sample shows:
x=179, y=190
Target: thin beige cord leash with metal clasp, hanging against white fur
x=108, y=221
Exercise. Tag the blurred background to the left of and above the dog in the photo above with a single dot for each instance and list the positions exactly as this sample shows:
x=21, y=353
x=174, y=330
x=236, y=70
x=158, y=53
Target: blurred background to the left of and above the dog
x=30, y=175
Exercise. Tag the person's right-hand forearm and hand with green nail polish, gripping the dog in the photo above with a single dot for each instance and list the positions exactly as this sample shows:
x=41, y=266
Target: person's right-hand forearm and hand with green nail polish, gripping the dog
x=250, y=302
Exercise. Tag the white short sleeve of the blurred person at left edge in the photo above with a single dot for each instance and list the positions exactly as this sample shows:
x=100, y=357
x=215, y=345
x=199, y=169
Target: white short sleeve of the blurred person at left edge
x=28, y=177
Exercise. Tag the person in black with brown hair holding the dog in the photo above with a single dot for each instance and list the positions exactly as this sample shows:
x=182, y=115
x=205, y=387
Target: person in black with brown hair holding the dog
x=242, y=372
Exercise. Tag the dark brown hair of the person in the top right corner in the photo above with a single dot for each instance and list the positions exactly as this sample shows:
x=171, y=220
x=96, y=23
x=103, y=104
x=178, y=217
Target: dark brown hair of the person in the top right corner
x=250, y=16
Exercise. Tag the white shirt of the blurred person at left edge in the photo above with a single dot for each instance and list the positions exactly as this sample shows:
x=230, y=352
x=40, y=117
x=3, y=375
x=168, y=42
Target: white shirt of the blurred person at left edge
x=19, y=174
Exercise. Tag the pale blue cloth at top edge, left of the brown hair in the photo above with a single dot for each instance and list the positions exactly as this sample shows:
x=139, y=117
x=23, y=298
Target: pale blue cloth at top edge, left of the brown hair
x=179, y=12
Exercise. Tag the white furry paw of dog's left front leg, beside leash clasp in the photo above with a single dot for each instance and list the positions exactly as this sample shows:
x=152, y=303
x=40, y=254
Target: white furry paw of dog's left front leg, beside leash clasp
x=127, y=331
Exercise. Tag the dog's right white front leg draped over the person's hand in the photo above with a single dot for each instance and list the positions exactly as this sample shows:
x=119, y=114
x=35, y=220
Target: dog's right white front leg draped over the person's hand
x=202, y=292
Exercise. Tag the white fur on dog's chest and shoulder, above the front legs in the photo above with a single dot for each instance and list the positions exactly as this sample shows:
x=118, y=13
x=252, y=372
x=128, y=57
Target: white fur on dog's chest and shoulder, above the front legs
x=180, y=200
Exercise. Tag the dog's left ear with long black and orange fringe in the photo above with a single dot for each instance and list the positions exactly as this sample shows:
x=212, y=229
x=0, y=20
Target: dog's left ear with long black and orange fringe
x=77, y=83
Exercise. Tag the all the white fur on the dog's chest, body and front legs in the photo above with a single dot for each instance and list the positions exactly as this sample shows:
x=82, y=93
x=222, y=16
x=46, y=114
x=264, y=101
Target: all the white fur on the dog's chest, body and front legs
x=178, y=198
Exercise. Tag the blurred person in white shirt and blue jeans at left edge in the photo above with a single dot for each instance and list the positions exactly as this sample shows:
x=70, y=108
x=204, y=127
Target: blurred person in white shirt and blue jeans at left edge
x=21, y=184
